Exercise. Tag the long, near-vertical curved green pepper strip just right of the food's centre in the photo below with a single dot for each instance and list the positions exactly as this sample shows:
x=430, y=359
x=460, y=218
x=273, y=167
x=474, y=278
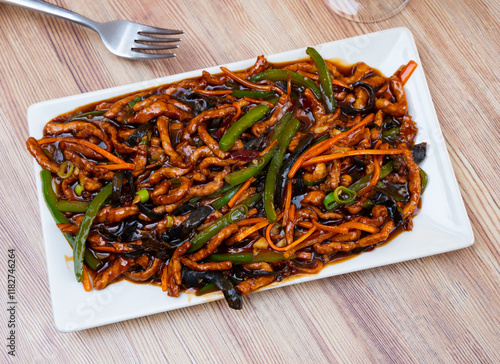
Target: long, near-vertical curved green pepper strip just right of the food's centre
x=284, y=139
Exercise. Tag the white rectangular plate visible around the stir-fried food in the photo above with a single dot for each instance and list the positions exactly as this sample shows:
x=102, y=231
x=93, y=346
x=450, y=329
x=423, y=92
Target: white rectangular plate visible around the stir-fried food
x=441, y=226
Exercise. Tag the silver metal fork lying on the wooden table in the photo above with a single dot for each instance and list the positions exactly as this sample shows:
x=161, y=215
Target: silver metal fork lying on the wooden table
x=122, y=37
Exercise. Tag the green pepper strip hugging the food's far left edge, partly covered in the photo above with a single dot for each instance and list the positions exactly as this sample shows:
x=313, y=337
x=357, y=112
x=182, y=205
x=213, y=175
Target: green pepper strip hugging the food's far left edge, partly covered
x=51, y=201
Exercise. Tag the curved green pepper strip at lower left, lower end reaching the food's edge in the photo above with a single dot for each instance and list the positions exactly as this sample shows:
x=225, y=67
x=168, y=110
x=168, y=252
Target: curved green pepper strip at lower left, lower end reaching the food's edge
x=85, y=225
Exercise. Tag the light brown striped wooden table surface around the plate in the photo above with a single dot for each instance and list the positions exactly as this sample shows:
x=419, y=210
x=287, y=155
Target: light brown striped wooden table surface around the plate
x=444, y=308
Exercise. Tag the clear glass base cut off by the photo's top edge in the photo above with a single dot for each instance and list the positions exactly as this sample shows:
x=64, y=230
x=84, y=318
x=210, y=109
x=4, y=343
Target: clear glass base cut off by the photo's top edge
x=366, y=11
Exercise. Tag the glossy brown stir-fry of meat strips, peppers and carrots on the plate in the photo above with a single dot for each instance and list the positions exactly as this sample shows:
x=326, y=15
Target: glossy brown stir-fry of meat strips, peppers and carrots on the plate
x=234, y=181
